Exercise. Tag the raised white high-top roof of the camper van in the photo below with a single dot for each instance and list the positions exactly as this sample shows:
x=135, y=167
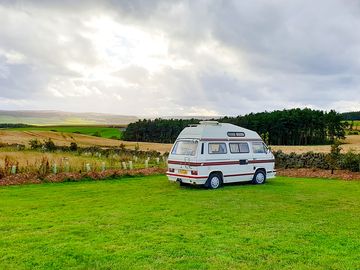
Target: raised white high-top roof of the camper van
x=215, y=130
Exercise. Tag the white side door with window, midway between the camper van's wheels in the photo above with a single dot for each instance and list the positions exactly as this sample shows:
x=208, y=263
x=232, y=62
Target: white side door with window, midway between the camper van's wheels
x=240, y=169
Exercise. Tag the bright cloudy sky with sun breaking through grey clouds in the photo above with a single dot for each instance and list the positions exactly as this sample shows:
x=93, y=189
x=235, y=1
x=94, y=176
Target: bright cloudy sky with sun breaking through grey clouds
x=171, y=58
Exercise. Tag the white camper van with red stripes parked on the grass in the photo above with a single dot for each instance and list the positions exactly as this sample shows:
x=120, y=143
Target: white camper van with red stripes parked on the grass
x=214, y=153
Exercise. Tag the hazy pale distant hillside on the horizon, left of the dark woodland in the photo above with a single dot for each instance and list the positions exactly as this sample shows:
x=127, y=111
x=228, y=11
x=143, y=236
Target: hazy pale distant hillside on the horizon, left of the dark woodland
x=63, y=118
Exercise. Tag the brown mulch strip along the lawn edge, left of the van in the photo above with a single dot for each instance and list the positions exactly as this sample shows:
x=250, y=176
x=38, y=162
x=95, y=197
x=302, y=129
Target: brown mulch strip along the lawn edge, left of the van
x=32, y=178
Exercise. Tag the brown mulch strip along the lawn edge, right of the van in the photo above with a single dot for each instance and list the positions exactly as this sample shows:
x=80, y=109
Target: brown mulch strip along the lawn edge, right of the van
x=318, y=173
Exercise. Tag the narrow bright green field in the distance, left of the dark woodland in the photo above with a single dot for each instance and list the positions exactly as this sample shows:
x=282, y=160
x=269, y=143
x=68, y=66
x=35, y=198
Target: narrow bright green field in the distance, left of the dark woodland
x=100, y=131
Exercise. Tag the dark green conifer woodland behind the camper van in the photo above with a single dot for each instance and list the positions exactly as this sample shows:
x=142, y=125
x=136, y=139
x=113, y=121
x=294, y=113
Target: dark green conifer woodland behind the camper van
x=286, y=127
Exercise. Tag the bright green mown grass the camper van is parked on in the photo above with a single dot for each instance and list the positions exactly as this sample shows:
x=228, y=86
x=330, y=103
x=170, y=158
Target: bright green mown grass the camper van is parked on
x=149, y=223
